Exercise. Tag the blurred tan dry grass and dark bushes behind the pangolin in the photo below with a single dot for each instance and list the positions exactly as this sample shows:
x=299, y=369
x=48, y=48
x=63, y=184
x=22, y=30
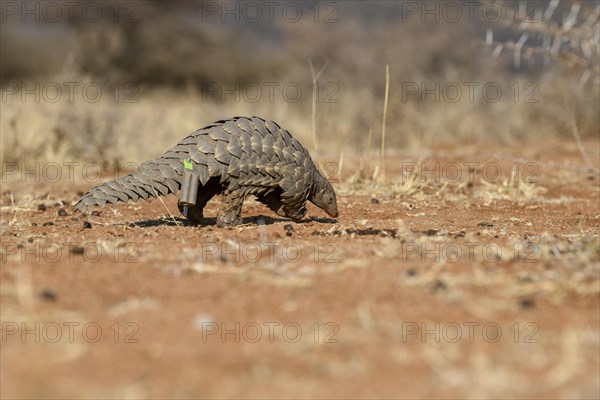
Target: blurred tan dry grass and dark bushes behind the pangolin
x=168, y=68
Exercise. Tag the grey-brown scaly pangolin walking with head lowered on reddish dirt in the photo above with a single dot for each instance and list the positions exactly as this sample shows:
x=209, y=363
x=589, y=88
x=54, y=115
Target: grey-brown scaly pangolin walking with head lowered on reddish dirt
x=237, y=157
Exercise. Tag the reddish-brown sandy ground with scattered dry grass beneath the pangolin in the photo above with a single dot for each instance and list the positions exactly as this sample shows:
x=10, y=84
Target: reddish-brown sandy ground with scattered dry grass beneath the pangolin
x=424, y=287
